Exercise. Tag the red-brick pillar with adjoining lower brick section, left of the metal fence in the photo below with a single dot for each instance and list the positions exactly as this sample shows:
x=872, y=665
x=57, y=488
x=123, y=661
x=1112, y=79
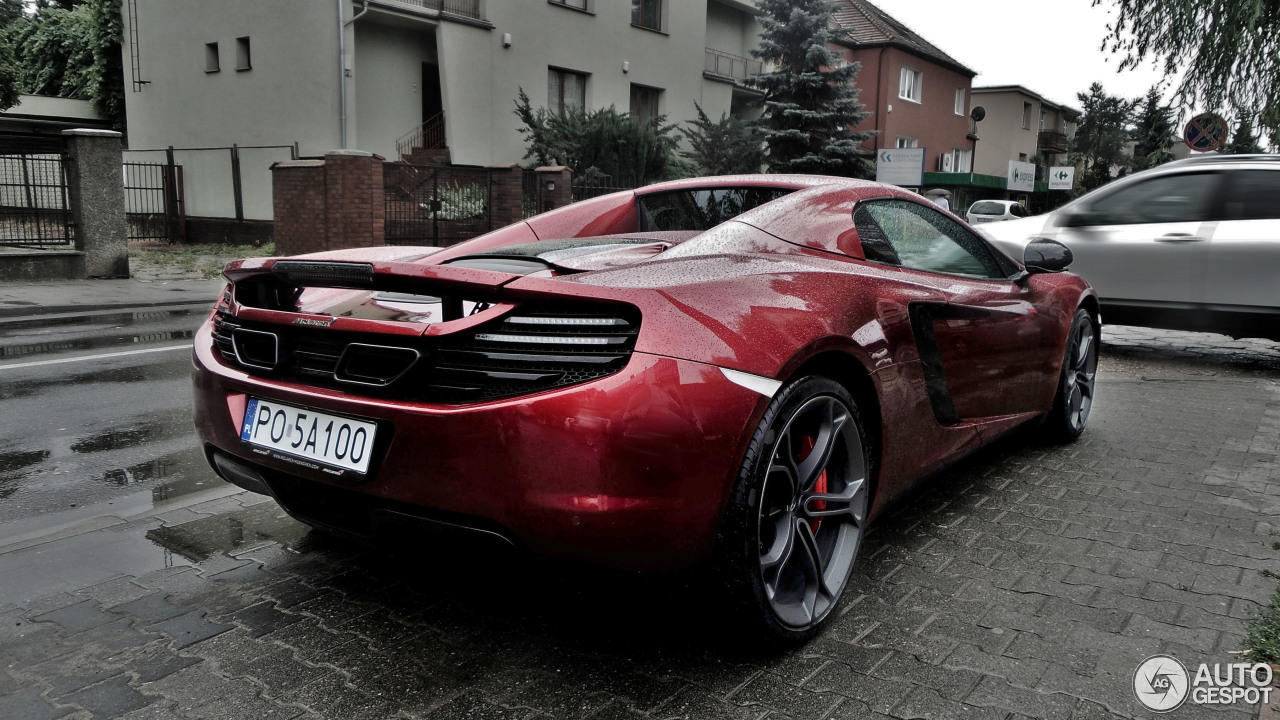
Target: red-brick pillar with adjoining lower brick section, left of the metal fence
x=330, y=204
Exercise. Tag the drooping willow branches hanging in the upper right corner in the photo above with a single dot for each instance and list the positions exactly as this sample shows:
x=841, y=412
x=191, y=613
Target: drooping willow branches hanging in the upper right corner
x=1227, y=52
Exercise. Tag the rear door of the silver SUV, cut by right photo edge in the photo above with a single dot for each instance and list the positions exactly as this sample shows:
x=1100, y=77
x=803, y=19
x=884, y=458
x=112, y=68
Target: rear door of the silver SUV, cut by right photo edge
x=1244, y=265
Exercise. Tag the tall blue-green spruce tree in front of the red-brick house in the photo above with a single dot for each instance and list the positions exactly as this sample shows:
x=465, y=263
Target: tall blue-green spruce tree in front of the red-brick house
x=811, y=102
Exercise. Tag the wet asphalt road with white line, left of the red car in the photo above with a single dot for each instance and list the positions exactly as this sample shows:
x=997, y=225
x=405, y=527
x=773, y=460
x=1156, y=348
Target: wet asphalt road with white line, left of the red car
x=95, y=412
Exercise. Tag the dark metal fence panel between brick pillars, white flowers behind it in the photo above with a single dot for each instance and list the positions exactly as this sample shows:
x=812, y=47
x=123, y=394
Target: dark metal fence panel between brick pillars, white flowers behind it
x=436, y=206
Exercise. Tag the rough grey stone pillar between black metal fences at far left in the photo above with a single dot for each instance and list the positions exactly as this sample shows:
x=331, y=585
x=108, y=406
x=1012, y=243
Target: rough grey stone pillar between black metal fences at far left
x=95, y=189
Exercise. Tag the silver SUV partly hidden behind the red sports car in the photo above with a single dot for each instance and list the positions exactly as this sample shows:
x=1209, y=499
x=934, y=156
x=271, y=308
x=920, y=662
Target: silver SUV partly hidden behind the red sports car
x=1190, y=245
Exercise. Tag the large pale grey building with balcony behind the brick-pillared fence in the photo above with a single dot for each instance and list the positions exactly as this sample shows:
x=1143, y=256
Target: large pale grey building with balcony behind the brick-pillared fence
x=365, y=75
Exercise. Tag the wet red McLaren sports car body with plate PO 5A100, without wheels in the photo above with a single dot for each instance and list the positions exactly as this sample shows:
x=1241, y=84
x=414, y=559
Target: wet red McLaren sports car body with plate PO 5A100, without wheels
x=625, y=457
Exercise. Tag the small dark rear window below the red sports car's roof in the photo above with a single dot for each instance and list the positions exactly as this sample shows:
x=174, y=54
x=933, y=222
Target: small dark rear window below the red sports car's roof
x=702, y=209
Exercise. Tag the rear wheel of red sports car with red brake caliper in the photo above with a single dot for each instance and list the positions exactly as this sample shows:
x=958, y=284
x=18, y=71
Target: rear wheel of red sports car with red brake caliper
x=811, y=439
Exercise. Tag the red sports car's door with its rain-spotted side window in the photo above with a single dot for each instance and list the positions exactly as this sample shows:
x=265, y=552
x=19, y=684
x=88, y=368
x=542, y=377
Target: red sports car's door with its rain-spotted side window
x=986, y=350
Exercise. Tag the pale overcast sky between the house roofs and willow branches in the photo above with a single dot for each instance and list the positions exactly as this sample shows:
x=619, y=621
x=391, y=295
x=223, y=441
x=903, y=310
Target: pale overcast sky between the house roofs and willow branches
x=1052, y=48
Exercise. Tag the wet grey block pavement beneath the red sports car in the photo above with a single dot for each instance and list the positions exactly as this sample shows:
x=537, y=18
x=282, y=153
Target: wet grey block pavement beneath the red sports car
x=1028, y=582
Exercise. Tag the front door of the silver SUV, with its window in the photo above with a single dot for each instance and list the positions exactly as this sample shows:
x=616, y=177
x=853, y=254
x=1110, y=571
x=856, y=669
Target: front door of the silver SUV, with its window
x=1145, y=241
